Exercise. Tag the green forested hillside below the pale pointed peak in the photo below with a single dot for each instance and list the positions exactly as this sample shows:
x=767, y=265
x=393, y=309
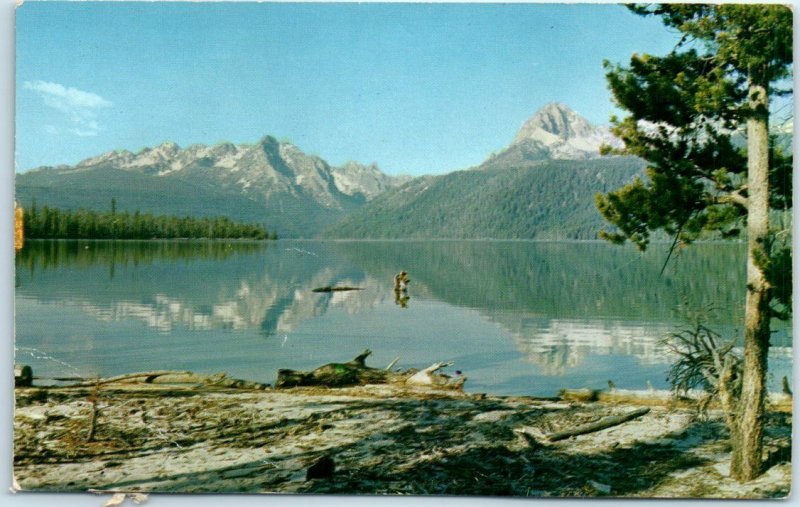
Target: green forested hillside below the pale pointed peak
x=547, y=199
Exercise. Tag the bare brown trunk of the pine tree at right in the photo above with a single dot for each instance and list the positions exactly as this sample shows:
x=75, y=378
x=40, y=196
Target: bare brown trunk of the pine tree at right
x=746, y=438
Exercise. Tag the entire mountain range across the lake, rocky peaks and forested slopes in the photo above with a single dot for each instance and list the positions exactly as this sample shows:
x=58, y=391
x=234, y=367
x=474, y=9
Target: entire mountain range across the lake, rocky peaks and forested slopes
x=541, y=185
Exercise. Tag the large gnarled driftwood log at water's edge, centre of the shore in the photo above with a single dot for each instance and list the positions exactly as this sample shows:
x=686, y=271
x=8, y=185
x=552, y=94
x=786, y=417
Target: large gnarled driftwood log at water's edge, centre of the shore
x=356, y=372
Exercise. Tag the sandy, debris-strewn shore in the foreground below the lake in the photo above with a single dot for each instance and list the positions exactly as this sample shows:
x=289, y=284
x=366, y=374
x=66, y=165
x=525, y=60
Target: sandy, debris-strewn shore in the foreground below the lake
x=379, y=439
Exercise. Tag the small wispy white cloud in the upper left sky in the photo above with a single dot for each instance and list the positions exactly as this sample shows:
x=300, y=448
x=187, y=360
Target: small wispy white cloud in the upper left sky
x=79, y=106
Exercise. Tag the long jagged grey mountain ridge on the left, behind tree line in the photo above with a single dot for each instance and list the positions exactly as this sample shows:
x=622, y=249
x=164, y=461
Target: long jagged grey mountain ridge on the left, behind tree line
x=268, y=182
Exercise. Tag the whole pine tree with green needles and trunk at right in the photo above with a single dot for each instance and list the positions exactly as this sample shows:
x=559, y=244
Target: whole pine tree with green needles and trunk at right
x=685, y=109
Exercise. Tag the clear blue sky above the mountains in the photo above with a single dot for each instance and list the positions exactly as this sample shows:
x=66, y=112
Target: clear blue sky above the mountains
x=417, y=88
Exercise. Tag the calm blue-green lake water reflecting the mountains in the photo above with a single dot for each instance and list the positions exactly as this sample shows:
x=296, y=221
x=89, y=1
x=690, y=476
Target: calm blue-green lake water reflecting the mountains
x=515, y=317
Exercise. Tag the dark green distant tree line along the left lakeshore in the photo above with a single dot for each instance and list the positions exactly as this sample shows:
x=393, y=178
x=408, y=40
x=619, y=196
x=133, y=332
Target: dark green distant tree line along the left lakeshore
x=53, y=223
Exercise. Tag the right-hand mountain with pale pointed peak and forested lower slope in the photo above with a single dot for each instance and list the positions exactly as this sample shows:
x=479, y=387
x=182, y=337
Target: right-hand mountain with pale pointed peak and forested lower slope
x=541, y=186
